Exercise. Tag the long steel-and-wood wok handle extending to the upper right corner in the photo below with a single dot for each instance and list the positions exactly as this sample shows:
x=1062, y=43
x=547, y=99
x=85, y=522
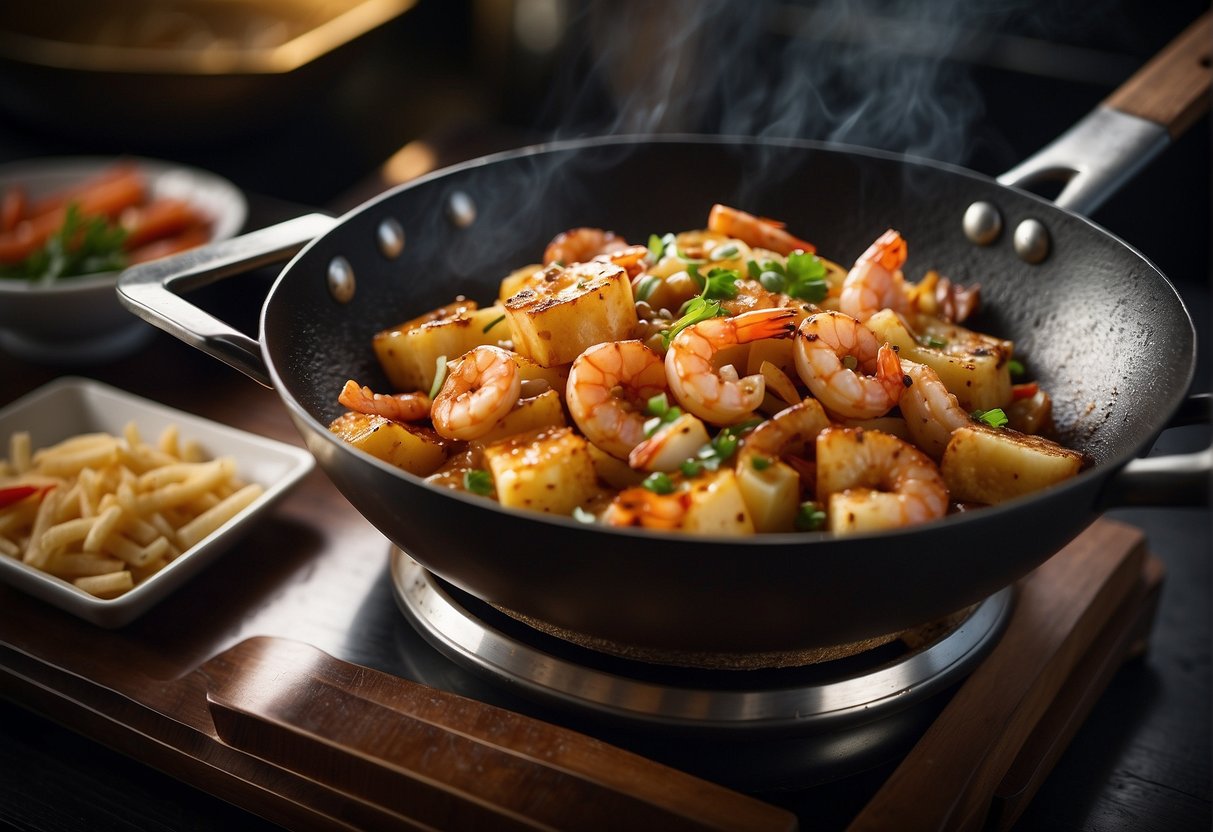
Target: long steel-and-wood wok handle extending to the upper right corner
x=1134, y=126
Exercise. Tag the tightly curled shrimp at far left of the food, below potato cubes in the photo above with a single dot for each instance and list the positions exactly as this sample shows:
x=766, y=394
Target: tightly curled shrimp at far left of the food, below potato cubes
x=477, y=394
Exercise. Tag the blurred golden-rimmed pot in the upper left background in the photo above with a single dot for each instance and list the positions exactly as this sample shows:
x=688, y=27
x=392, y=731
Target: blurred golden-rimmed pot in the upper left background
x=175, y=71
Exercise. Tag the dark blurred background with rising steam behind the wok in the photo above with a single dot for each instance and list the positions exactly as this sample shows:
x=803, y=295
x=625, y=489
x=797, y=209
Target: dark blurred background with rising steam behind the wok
x=979, y=86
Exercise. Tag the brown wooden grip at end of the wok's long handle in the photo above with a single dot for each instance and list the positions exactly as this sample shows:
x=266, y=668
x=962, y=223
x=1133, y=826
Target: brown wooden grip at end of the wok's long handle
x=1174, y=88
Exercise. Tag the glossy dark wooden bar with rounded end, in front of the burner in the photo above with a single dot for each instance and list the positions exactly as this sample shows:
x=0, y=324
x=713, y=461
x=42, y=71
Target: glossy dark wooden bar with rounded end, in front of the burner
x=409, y=756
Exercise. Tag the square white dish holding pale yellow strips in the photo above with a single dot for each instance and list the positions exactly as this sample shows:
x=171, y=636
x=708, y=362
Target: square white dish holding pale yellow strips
x=71, y=406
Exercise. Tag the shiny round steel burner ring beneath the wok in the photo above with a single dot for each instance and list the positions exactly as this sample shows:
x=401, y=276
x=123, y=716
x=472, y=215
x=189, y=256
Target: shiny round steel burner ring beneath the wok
x=823, y=698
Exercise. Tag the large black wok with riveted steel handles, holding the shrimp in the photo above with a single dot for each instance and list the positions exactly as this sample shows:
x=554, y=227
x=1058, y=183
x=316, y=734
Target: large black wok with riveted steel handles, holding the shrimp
x=1103, y=329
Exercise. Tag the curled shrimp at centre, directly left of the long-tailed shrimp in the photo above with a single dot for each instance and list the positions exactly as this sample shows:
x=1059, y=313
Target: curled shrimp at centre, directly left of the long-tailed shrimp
x=608, y=387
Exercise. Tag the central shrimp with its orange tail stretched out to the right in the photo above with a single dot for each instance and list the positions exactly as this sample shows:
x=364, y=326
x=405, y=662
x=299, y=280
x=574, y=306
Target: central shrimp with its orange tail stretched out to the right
x=719, y=396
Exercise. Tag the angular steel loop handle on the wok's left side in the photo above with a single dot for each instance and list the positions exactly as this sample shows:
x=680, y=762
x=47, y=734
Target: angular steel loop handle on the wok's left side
x=151, y=290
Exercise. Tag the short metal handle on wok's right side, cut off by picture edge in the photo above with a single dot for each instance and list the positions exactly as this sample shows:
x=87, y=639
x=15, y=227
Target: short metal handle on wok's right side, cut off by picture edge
x=1176, y=480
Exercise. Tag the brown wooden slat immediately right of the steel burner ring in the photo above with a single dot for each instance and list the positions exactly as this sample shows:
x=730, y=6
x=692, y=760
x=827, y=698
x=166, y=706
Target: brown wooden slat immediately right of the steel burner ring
x=949, y=778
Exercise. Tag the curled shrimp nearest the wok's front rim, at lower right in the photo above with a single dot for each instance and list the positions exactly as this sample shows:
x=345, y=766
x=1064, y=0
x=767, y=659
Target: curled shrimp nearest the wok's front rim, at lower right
x=872, y=481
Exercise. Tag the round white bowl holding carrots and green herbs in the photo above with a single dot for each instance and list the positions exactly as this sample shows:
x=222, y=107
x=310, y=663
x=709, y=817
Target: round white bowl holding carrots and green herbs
x=79, y=321
